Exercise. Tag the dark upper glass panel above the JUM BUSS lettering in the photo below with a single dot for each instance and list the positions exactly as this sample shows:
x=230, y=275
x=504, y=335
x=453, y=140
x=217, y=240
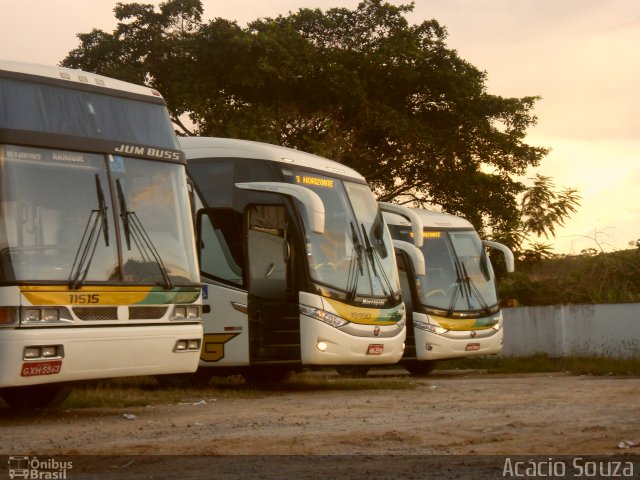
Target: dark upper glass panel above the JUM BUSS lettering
x=36, y=107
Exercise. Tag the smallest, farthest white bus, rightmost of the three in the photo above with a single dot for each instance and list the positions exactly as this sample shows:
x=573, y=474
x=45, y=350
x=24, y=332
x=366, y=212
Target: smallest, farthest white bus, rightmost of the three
x=452, y=303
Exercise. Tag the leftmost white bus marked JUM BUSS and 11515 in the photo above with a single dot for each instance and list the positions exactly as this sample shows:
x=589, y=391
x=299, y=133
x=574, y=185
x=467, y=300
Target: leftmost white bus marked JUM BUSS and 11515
x=98, y=266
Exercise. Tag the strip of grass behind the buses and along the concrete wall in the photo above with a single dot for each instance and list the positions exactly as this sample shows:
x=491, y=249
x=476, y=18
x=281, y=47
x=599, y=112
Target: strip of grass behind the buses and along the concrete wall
x=142, y=391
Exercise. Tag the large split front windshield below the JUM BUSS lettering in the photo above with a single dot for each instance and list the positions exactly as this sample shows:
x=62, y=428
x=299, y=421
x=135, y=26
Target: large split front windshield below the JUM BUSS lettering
x=48, y=234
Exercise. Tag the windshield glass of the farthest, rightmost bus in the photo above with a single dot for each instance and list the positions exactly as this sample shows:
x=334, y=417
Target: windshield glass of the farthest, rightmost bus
x=459, y=277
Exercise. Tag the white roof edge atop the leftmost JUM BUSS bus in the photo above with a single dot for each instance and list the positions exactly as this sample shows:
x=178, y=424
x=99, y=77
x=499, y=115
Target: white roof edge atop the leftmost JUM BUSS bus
x=77, y=76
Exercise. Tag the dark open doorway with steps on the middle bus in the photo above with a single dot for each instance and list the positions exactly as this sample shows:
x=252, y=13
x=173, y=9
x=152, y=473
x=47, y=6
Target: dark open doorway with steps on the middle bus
x=274, y=318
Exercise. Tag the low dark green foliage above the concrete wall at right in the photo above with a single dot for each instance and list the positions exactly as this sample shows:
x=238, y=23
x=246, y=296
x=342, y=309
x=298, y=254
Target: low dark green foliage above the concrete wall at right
x=591, y=278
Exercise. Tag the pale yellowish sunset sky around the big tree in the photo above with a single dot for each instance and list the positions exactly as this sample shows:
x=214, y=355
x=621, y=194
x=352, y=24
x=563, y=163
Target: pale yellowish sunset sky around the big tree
x=580, y=56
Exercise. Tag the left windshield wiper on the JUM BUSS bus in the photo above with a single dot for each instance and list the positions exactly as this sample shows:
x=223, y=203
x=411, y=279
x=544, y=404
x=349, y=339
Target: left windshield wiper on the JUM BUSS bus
x=97, y=222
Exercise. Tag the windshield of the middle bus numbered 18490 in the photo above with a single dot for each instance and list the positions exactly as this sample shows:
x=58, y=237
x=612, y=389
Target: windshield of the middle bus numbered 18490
x=355, y=252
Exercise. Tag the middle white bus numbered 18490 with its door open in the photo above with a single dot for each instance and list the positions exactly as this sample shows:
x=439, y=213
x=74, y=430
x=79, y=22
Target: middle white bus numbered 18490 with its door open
x=297, y=263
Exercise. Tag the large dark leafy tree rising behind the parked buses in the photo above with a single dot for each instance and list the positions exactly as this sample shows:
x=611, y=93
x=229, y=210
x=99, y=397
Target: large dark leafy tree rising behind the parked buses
x=362, y=86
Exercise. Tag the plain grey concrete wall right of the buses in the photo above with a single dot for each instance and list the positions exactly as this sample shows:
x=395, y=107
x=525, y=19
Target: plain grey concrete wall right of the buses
x=561, y=330
